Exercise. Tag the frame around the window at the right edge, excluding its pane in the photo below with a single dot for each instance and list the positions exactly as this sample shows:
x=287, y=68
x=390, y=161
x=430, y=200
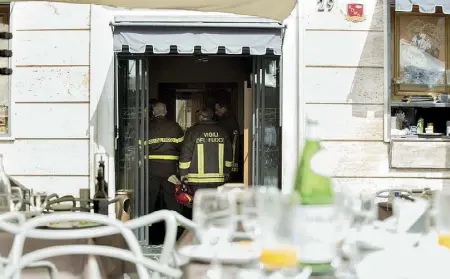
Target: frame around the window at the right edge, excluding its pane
x=392, y=61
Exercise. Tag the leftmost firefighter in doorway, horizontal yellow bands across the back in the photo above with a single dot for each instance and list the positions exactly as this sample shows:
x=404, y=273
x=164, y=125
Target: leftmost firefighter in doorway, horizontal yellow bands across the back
x=164, y=145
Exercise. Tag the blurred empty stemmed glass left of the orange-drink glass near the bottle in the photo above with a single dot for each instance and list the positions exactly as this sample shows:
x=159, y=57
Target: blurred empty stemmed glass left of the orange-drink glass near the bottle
x=214, y=213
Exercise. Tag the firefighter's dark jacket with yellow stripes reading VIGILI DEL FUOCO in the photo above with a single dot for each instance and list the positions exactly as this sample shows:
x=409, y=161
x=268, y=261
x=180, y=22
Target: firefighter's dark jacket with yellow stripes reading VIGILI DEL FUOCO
x=206, y=154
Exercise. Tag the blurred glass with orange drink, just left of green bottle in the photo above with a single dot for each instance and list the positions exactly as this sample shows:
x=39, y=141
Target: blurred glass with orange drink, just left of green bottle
x=266, y=217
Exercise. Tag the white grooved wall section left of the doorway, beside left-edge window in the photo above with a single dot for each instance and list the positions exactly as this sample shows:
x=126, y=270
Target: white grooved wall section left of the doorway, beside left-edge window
x=49, y=148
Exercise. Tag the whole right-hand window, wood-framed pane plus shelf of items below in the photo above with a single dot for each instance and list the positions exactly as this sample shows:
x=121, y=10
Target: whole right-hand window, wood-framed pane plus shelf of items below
x=420, y=55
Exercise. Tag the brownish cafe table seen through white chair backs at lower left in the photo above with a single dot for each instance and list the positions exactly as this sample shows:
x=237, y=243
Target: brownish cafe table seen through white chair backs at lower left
x=72, y=266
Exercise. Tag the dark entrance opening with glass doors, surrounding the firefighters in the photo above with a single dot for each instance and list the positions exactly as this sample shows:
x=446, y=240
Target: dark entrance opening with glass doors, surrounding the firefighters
x=187, y=83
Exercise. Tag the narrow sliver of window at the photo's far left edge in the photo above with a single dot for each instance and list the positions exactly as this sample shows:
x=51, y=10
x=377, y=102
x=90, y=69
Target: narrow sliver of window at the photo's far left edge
x=4, y=80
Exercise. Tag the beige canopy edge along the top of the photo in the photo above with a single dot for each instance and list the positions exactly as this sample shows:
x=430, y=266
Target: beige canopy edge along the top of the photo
x=274, y=9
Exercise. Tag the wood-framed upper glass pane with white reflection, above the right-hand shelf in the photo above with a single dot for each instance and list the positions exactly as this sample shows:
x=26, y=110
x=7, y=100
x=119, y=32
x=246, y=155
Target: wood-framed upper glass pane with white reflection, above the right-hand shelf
x=420, y=53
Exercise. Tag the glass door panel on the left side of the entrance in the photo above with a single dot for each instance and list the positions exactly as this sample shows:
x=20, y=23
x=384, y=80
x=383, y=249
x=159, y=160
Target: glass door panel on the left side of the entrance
x=132, y=118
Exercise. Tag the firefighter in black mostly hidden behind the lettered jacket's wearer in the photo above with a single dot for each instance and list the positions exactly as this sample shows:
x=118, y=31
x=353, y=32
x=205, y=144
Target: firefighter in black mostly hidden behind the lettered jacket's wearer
x=228, y=121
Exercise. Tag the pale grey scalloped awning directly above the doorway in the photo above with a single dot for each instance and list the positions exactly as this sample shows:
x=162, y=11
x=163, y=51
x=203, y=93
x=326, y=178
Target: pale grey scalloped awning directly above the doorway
x=208, y=34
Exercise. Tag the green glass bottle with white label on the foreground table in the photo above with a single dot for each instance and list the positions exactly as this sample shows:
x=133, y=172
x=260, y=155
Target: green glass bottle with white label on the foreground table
x=315, y=213
